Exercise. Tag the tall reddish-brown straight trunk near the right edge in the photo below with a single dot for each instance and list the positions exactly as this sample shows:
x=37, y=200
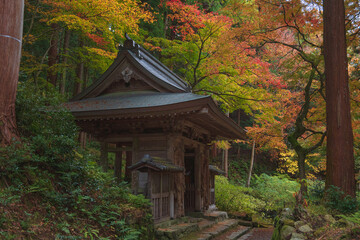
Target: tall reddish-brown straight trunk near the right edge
x=340, y=165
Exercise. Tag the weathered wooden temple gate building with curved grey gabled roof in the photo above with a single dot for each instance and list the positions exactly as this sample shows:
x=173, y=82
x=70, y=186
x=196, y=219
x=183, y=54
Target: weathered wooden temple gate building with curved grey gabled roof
x=141, y=107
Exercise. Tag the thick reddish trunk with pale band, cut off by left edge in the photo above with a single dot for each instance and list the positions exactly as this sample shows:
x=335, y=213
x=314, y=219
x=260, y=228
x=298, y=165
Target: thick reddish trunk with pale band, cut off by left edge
x=11, y=24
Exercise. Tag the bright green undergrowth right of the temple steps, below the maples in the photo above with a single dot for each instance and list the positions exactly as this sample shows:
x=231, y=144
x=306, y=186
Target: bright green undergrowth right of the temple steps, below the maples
x=270, y=193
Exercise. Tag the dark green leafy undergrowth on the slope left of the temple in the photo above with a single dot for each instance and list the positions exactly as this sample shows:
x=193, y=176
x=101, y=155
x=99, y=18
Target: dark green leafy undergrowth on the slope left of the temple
x=52, y=189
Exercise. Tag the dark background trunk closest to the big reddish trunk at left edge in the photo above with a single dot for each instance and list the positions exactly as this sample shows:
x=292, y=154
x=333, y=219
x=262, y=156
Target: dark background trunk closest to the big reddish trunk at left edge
x=53, y=55
